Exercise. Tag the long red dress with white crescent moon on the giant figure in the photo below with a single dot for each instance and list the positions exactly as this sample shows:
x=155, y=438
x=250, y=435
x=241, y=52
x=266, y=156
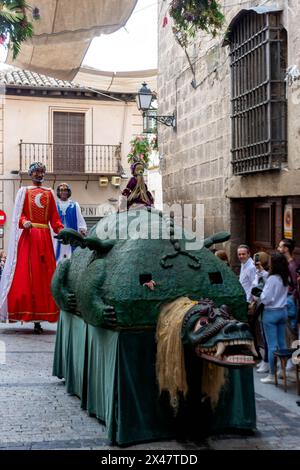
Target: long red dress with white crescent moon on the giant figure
x=30, y=298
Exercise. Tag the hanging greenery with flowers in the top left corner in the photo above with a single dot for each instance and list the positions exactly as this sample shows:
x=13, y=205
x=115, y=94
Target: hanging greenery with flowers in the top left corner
x=15, y=26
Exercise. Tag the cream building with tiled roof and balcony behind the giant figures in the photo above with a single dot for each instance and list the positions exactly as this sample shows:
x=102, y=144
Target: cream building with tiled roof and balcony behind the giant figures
x=81, y=133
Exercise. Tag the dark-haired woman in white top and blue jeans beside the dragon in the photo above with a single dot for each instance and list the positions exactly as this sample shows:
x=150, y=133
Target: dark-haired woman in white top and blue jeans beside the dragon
x=274, y=298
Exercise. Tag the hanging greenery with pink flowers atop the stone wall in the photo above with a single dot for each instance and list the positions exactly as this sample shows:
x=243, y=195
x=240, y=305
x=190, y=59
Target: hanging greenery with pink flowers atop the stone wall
x=190, y=16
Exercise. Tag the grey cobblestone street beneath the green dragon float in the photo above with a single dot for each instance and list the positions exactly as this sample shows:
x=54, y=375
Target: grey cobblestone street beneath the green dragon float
x=37, y=413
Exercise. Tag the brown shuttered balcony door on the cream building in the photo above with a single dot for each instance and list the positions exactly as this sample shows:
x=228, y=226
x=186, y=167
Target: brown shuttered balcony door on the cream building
x=68, y=142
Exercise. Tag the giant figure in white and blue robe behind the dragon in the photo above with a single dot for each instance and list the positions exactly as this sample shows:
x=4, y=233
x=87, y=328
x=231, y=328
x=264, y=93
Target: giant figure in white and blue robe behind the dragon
x=70, y=214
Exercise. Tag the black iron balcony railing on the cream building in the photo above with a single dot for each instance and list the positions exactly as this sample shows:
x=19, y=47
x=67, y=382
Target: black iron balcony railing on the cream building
x=80, y=159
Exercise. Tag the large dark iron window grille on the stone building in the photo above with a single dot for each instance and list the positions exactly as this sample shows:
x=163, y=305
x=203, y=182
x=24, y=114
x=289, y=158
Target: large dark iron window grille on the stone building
x=258, y=51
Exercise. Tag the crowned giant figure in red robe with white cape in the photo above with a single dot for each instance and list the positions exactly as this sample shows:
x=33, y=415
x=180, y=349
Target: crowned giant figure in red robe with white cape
x=25, y=284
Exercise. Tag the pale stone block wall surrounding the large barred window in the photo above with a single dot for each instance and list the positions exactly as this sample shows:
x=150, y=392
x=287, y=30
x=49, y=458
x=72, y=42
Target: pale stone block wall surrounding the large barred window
x=197, y=157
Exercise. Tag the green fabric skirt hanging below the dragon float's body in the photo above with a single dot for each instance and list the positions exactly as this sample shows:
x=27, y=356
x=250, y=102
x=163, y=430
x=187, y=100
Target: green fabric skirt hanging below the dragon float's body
x=113, y=374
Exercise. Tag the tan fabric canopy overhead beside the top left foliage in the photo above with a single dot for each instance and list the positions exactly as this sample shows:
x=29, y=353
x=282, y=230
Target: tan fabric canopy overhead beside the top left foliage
x=65, y=31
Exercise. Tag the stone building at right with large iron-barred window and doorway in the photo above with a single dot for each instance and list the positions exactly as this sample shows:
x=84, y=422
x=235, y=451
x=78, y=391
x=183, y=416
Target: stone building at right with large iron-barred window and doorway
x=250, y=201
